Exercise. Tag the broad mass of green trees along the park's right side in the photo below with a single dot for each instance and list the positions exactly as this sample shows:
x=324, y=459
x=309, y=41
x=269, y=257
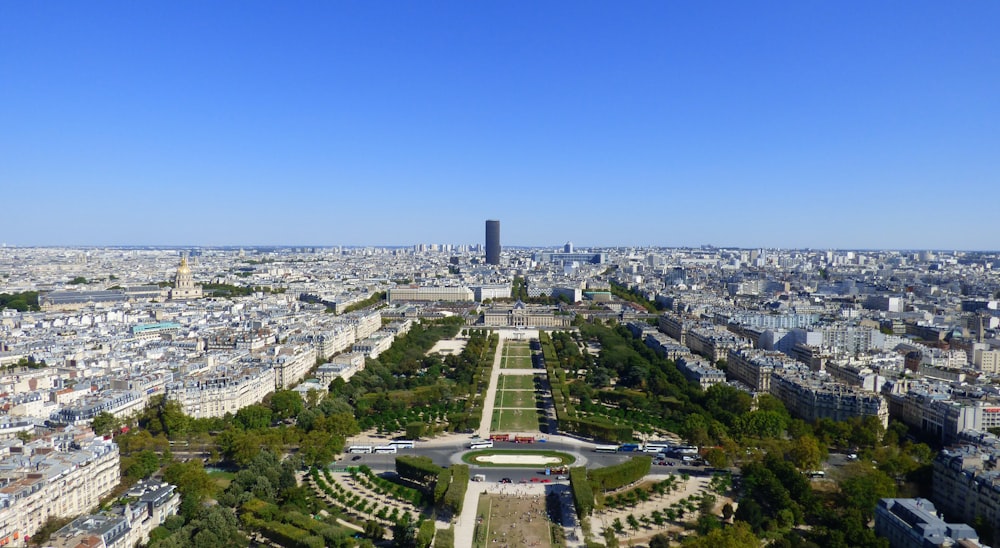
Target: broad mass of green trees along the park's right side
x=773, y=447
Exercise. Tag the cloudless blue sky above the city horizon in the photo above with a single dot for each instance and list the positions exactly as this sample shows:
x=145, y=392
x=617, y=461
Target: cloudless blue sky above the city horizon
x=777, y=124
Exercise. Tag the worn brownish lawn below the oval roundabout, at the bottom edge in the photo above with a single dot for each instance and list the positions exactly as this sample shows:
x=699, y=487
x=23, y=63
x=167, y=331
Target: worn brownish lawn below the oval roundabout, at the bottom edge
x=507, y=520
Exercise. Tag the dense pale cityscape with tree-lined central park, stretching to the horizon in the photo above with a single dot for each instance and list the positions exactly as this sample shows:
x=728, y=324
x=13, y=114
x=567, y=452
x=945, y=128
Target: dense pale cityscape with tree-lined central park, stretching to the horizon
x=476, y=394
